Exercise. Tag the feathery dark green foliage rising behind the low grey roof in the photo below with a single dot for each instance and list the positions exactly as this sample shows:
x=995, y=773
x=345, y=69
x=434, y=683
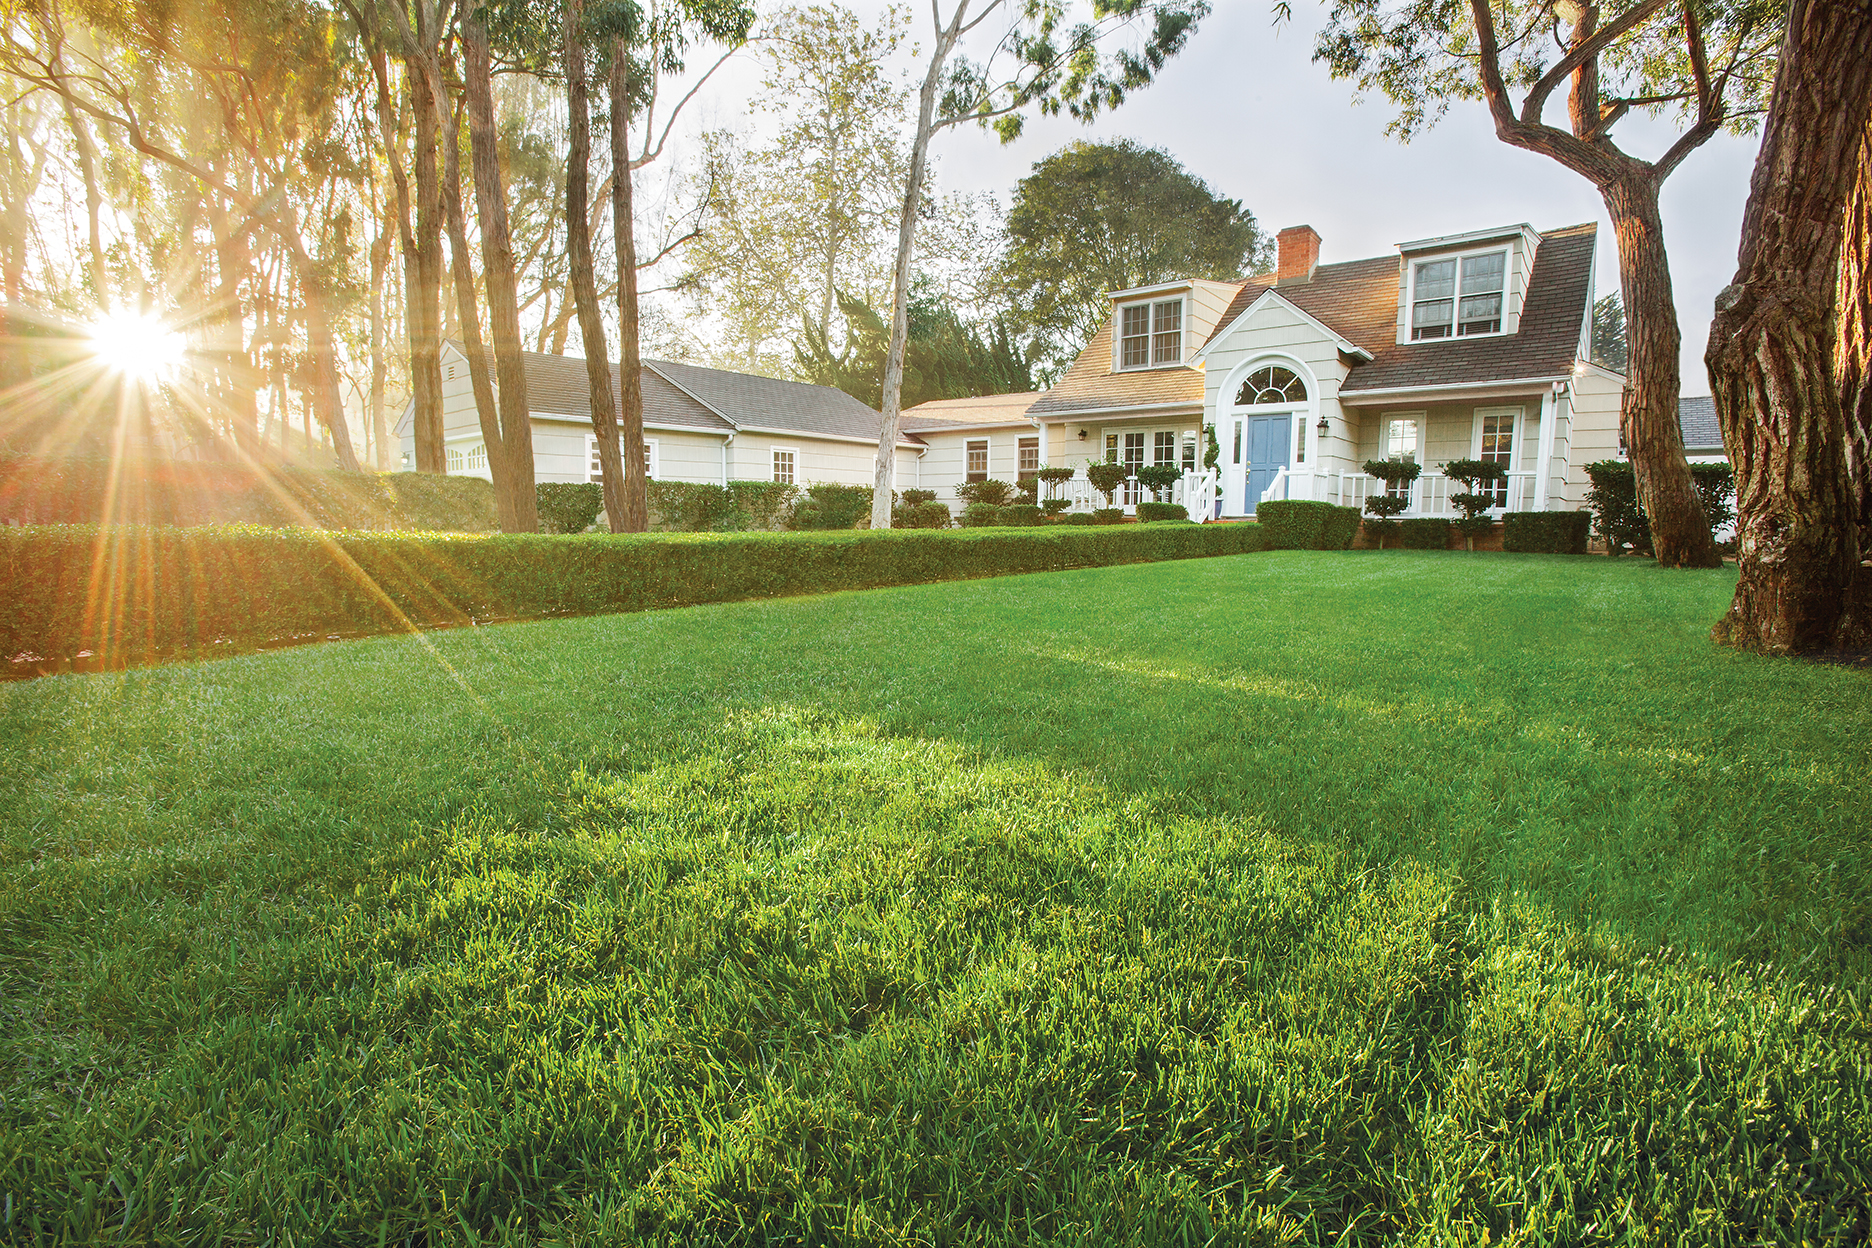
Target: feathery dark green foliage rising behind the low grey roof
x=943, y=360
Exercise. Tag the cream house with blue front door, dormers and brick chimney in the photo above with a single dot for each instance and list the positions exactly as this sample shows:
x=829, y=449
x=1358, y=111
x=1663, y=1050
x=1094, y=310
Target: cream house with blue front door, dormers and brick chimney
x=1459, y=347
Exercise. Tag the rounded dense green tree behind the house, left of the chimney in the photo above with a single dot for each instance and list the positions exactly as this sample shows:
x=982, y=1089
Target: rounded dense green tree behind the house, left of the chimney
x=1115, y=216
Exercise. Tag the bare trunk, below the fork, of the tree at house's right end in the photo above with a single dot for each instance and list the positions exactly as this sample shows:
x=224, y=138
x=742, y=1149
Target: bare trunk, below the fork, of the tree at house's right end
x=1648, y=414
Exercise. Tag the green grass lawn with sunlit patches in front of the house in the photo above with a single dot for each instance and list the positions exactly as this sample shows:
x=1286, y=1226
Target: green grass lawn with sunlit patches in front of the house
x=1334, y=899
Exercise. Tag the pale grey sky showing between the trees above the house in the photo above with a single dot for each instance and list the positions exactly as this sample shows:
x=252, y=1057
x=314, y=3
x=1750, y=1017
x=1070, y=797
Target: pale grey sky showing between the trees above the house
x=1248, y=111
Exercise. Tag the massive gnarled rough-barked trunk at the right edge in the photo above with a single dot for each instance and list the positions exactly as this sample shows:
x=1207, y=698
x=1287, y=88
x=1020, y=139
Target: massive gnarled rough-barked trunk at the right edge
x=1774, y=341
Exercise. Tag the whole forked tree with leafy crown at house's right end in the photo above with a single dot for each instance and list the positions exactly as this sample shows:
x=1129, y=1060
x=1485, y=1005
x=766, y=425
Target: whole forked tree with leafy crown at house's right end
x=1706, y=65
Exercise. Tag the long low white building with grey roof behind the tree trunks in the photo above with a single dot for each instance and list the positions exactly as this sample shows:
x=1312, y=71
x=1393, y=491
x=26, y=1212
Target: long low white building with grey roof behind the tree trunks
x=703, y=426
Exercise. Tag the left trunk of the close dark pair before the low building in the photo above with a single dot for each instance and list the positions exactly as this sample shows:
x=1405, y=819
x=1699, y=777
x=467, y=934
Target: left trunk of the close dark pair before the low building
x=579, y=259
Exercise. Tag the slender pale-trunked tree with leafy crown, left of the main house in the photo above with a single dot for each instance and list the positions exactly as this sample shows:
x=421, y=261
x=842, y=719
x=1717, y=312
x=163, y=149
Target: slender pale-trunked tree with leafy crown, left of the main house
x=1038, y=61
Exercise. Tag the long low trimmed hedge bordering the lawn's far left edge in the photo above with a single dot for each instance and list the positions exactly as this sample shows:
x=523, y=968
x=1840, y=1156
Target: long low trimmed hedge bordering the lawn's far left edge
x=128, y=596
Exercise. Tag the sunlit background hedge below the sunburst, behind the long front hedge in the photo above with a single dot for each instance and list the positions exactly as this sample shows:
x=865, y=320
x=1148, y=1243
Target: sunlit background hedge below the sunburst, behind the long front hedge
x=183, y=493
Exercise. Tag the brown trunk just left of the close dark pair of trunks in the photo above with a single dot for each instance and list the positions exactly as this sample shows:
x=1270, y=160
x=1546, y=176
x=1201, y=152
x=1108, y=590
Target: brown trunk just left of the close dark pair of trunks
x=497, y=268
